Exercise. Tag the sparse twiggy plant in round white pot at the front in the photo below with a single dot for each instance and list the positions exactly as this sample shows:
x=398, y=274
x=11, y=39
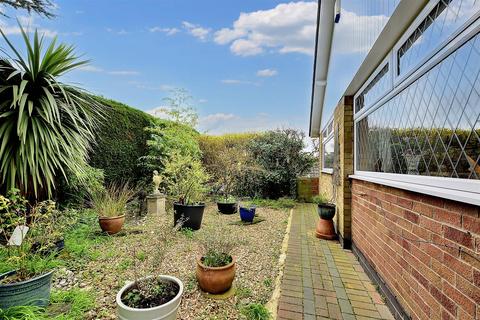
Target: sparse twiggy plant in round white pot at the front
x=152, y=297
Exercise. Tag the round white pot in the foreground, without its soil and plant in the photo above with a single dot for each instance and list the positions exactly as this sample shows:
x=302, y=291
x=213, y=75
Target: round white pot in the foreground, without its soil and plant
x=167, y=311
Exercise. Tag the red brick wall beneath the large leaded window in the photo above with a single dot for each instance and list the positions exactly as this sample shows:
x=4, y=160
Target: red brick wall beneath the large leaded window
x=422, y=247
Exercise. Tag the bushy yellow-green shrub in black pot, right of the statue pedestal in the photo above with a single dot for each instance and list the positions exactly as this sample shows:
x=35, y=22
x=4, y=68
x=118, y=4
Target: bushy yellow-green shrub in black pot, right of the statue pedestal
x=185, y=179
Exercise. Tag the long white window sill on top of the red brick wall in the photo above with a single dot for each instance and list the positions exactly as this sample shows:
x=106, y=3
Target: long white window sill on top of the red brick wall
x=456, y=195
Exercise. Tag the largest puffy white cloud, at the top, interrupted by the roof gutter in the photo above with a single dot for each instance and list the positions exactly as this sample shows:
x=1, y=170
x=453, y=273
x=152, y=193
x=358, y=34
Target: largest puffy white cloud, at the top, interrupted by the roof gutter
x=291, y=27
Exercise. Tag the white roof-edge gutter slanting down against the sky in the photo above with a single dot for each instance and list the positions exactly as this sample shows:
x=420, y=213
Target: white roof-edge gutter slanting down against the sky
x=329, y=13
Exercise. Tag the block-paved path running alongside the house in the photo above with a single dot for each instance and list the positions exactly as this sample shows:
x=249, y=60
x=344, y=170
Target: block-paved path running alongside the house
x=323, y=281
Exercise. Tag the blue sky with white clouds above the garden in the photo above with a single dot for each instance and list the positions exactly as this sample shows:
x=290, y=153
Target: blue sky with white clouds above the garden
x=248, y=64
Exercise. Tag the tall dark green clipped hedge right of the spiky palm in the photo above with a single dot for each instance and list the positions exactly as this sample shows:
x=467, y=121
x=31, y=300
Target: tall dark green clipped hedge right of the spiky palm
x=121, y=141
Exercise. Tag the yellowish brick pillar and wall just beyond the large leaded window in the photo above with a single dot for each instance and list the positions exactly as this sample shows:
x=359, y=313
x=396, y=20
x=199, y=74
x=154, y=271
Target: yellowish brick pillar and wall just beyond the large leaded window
x=343, y=122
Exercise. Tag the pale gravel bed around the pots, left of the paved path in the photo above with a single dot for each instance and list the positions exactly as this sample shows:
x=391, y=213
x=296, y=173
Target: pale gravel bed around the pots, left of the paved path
x=257, y=263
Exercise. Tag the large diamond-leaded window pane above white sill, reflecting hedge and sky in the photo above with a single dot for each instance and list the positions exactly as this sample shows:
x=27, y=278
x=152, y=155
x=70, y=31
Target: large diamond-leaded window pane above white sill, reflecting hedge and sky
x=432, y=127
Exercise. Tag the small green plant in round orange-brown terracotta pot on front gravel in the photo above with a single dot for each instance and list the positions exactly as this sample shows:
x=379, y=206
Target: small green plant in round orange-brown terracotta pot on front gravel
x=216, y=266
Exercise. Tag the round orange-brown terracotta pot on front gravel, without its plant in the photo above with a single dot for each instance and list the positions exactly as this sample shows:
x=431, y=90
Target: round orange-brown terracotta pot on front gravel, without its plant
x=215, y=279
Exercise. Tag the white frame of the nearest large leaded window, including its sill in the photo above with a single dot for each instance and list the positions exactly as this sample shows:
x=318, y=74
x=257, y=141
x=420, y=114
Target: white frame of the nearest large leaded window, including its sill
x=464, y=190
